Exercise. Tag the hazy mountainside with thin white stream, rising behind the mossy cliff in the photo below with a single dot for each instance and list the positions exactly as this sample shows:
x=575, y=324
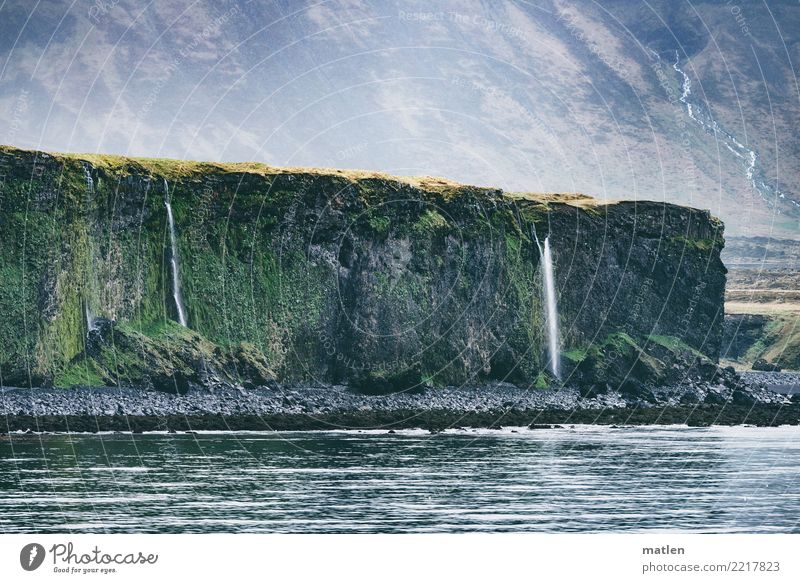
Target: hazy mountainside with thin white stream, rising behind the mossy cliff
x=694, y=103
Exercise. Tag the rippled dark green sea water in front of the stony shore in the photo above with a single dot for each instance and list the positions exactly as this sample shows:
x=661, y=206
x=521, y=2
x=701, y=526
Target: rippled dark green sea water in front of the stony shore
x=581, y=479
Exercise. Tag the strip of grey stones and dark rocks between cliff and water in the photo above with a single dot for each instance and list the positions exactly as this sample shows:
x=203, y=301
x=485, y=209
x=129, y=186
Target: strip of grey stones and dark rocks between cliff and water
x=326, y=407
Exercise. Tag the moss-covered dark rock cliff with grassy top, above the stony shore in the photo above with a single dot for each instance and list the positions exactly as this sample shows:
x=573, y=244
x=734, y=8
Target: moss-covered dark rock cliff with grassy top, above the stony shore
x=303, y=275
